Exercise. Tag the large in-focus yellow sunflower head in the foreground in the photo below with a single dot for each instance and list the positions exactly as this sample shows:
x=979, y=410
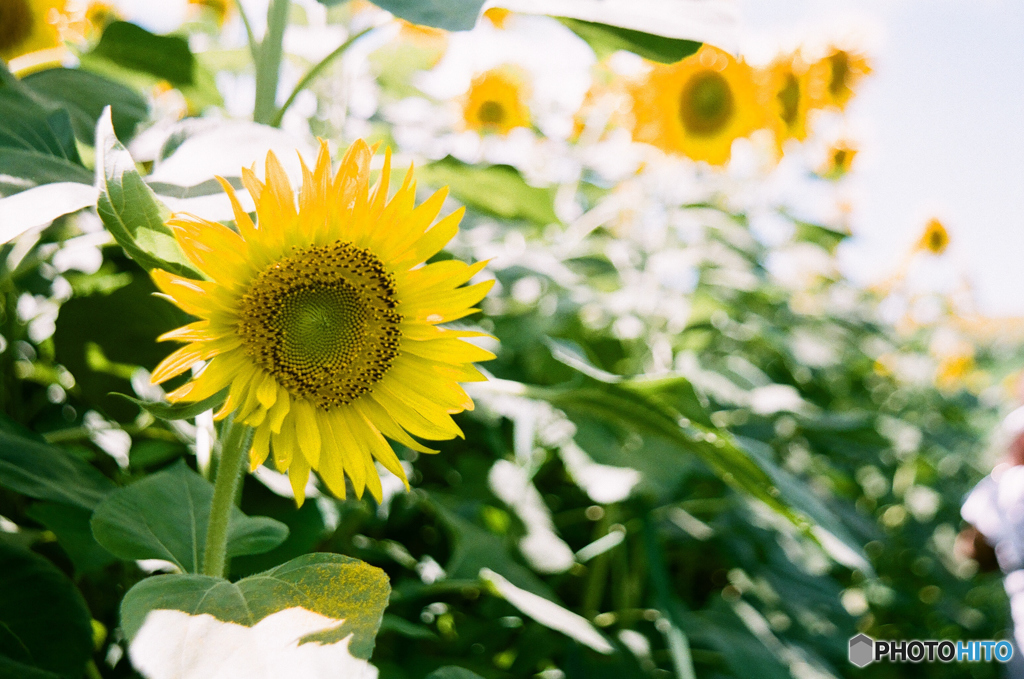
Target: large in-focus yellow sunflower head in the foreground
x=322, y=323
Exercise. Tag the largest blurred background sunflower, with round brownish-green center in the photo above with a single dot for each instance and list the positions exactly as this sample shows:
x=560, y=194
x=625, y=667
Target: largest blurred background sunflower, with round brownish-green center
x=698, y=107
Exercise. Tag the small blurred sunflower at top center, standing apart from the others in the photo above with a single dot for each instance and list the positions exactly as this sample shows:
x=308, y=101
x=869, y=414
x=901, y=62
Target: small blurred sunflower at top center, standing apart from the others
x=496, y=102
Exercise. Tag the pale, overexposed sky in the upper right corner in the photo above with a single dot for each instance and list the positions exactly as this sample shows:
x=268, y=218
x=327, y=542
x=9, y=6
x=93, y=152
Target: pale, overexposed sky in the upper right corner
x=942, y=128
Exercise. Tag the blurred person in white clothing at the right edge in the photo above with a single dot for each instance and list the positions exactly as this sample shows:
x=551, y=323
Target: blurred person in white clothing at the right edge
x=995, y=511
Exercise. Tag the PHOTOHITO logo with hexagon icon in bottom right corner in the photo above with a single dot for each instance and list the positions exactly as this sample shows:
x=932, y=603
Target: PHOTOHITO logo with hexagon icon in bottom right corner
x=865, y=651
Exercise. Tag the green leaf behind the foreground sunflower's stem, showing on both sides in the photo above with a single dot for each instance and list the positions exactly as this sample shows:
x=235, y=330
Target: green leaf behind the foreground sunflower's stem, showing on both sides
x=164, y=517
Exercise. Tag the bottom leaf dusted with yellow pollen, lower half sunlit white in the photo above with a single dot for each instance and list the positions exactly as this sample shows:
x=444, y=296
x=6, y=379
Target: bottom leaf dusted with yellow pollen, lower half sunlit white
x=331, y=602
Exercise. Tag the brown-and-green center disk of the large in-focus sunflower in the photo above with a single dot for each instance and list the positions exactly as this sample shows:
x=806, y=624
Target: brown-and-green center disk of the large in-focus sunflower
x=323, y=323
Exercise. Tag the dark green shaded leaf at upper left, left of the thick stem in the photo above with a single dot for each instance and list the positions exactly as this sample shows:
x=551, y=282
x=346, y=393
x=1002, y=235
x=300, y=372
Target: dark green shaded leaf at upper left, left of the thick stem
x=133, y=48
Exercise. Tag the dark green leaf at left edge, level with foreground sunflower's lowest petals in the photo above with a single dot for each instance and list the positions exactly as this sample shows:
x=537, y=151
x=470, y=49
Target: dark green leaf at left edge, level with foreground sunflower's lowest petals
x=46, y=473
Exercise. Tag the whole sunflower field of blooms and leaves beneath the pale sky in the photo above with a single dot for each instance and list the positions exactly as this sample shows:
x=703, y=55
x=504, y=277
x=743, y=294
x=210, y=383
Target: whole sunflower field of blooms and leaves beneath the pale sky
x=458, y=341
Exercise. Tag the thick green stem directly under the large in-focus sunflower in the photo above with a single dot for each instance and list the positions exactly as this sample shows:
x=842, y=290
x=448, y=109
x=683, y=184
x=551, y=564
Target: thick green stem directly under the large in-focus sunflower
x=237, y=442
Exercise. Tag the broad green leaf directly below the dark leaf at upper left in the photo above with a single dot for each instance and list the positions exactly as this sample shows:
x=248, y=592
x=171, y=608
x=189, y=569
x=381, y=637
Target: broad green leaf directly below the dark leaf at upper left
x=86, y=96
